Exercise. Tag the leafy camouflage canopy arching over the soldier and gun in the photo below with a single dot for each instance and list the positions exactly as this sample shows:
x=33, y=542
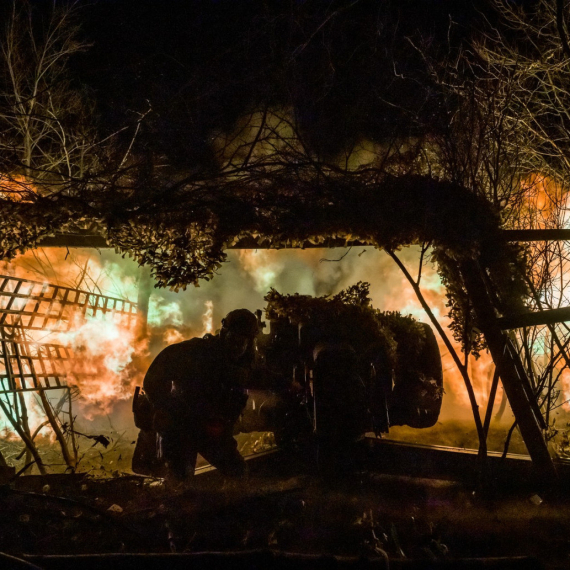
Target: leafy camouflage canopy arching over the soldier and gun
x=181, y=232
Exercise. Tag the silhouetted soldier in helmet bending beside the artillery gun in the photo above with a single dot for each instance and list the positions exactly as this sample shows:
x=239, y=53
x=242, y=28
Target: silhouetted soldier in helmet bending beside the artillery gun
x=196, y=390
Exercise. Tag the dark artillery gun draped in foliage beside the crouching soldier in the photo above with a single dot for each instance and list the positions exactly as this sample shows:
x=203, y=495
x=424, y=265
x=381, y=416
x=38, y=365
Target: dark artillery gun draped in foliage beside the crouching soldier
x=331, y=369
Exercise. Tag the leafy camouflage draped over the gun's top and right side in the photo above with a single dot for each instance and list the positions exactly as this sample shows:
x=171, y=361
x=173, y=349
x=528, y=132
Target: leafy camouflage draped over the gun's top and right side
x=394, y=343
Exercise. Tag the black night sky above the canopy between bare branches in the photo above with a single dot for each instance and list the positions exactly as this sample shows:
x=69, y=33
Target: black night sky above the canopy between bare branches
x=200, y=65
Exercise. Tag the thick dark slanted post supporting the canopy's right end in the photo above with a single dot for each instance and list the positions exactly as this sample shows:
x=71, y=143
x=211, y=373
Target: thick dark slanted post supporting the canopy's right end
x=496, y=341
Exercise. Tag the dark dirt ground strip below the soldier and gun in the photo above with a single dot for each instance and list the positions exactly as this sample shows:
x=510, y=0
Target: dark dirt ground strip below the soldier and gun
x=283, y=506
